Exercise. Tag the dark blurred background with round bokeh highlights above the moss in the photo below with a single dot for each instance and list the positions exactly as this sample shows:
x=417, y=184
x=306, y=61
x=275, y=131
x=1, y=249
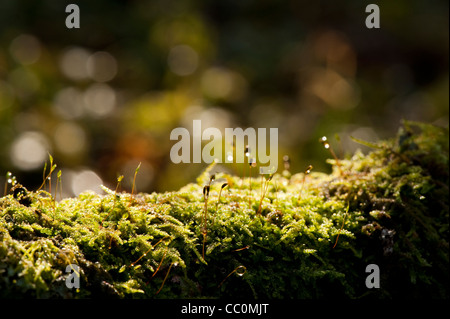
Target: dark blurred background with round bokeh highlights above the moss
x=103, y=98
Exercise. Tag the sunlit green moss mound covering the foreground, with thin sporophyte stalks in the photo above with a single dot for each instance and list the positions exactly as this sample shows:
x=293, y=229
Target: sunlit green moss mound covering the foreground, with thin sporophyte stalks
x=305, y=235
